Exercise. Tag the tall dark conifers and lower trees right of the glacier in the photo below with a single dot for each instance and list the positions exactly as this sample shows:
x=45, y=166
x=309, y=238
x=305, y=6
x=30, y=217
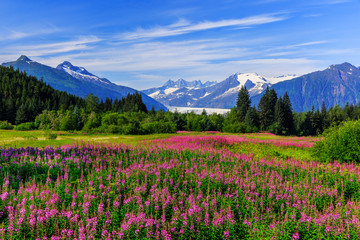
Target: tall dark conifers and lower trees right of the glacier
x=275, y=114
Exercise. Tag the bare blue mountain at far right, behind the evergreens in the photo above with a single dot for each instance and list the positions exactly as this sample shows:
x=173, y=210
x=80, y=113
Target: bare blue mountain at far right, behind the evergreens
x=337, y=84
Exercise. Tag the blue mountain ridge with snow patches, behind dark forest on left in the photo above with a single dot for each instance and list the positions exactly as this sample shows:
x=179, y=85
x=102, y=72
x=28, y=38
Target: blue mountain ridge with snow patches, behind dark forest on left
x=78, y=81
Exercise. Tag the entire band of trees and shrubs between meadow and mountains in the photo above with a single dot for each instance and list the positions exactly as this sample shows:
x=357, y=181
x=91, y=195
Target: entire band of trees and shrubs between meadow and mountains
x=30, y=103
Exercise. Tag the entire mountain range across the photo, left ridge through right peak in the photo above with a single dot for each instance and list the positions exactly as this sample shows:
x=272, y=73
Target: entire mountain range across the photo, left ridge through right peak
x=338, y=84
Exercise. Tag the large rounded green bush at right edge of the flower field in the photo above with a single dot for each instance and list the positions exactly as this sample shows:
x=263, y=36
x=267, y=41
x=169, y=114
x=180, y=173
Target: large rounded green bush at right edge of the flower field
x=340, y=143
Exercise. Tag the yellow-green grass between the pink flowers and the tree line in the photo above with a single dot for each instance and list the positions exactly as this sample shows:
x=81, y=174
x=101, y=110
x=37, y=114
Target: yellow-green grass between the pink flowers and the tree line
x=38, y=138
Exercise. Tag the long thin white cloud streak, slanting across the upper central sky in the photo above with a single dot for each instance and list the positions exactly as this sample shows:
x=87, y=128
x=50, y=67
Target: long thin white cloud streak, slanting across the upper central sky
x=184, y=27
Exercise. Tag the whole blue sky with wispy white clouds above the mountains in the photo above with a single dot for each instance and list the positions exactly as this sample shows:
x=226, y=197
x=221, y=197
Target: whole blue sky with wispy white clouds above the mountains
x=142, y=44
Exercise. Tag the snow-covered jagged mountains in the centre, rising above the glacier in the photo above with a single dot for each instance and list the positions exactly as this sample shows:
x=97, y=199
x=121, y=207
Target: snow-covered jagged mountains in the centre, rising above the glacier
x=212, y=94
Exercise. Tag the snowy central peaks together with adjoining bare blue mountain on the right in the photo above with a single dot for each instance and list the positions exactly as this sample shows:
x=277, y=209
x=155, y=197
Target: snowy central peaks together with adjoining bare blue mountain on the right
x=337, y=85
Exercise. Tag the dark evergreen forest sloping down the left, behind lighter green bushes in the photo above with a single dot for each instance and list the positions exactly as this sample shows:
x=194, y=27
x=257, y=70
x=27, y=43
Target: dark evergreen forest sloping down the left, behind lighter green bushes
x=23, y=97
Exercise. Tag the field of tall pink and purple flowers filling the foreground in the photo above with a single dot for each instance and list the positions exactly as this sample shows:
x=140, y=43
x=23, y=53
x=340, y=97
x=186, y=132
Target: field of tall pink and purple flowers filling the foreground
x=183, y=187
